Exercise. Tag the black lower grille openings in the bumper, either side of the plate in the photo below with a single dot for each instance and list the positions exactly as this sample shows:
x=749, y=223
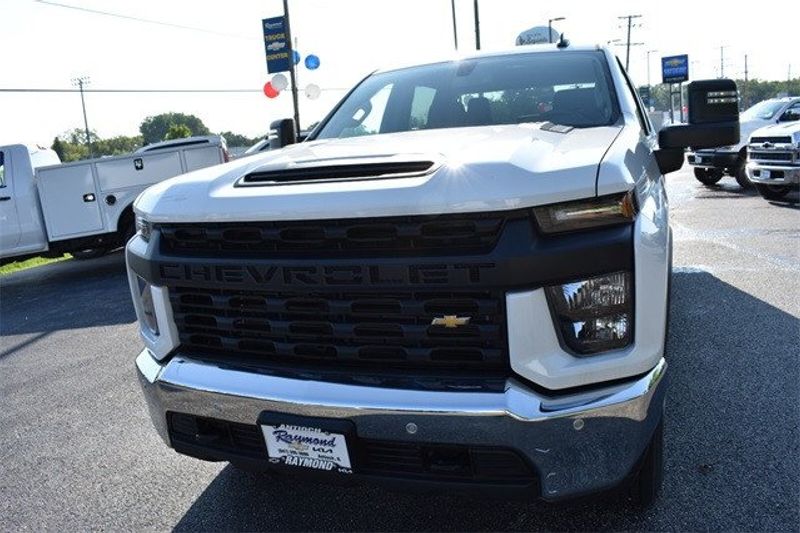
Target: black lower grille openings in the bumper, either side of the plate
x=372, y=457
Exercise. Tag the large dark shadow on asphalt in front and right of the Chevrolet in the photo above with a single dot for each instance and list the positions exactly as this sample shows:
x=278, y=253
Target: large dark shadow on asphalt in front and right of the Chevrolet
x=731, y=432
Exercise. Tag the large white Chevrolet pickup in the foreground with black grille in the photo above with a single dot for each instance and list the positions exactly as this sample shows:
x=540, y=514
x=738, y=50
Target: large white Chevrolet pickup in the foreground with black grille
x=460, y=278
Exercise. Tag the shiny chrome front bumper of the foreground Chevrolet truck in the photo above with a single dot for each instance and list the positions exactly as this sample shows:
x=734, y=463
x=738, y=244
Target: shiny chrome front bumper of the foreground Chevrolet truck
x=579, y=444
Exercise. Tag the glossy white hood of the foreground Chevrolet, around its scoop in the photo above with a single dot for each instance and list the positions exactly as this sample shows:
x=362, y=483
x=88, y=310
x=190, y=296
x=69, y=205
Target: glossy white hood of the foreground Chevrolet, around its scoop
x=476, y=169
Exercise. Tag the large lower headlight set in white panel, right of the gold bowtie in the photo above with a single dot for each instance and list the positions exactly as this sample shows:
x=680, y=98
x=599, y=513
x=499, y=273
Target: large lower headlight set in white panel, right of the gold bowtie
x=594, y=315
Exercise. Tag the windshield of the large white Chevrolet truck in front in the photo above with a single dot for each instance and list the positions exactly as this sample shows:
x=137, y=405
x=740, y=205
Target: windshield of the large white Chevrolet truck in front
x=569, y=88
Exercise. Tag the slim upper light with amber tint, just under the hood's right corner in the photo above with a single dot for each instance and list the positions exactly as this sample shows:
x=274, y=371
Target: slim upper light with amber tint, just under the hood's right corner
x=585, y=214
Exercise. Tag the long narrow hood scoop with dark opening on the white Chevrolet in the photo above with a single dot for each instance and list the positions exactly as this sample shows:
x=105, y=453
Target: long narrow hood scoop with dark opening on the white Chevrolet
x=320, y=171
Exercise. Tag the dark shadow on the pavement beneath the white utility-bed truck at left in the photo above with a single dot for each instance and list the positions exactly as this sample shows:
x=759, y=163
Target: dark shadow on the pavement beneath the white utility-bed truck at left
x=65, y=295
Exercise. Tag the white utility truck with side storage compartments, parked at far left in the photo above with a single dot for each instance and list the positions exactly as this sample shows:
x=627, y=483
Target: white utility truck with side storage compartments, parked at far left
x=85, y=208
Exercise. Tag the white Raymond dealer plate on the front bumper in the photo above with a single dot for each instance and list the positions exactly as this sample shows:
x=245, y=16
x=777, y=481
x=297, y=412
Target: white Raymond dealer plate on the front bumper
x=307, y=447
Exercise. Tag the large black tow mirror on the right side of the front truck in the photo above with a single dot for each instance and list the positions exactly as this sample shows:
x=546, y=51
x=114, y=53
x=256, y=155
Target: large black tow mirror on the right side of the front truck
x=713, y=122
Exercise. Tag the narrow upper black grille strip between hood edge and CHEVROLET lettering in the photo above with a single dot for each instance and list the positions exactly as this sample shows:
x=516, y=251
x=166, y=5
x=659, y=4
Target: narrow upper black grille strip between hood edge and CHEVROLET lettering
x=443, y=234
